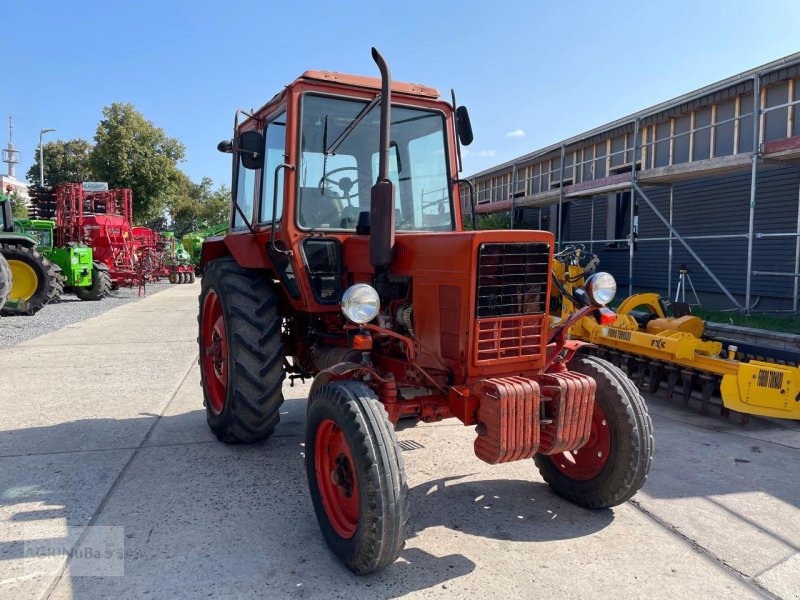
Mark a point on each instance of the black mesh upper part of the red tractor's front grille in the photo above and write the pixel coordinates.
(512, 279)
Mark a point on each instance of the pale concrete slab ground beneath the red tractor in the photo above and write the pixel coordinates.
(718, 517)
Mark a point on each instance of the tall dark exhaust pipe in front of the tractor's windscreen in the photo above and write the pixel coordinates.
(381, 243)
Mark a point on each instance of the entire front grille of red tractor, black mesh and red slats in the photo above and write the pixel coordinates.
(511, 301)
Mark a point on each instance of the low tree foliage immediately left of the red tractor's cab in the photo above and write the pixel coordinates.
(197, 205)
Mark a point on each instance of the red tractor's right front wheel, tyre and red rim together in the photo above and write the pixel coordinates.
(611, 467)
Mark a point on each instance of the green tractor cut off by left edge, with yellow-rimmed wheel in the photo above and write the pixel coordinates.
(35, 280)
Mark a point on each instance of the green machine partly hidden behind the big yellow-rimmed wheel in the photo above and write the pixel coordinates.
(74, 260)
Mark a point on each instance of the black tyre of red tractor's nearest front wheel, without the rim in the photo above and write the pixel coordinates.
(377, 464)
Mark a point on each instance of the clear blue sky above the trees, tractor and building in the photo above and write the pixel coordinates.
(531, 73)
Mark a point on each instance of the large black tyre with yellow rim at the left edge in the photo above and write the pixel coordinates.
(35, 281)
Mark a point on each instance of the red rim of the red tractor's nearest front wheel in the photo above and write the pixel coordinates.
(336, 478)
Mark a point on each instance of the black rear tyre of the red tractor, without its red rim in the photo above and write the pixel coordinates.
(255, 372)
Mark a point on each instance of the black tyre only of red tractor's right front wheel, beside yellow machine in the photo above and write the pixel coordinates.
(631, 435)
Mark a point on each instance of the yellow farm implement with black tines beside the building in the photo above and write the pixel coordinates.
(657, 347)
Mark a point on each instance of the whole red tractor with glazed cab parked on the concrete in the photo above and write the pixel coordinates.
(346, 262)
